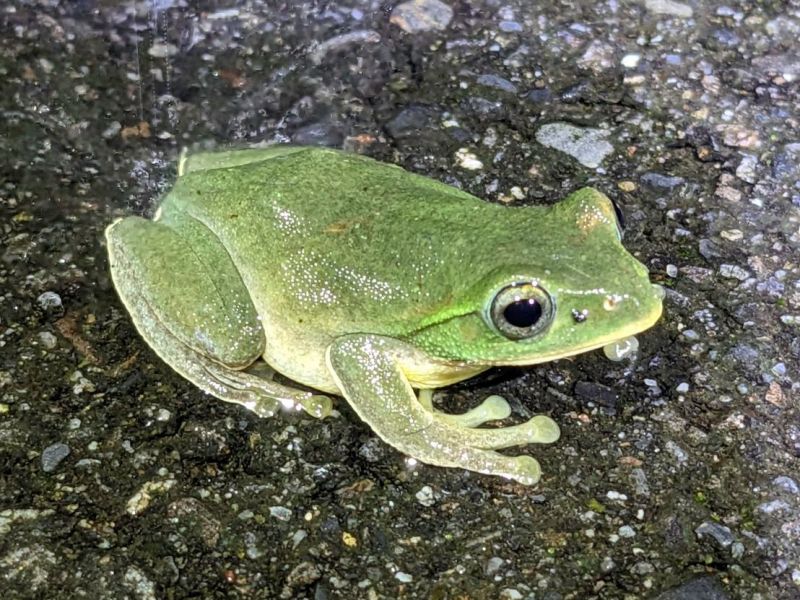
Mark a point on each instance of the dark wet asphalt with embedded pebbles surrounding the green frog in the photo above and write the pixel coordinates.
(676, 476)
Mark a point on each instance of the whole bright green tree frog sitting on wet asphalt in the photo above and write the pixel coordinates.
(358, 278)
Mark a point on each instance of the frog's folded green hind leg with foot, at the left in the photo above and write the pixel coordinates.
(190, 305)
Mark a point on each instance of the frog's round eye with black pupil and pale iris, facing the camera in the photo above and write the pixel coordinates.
(521, 310)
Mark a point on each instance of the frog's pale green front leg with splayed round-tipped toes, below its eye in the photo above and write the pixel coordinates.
(369, 372)
